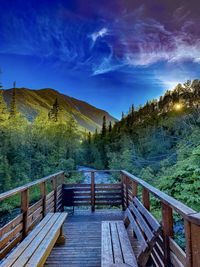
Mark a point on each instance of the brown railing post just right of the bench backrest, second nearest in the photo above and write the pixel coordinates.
(167, 227)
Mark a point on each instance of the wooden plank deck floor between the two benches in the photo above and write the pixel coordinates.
(83, 242)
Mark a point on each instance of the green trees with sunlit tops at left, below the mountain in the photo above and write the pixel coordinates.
(31, 150)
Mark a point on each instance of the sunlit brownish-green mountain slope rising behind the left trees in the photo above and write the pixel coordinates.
(32, 102)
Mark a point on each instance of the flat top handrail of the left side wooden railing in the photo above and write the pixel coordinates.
(27, 186)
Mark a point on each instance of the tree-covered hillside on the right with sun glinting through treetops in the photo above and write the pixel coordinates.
(159, 142)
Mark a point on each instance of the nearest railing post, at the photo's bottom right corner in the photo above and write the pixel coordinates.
(192, 236)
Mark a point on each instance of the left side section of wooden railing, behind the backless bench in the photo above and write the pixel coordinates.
(17, 229)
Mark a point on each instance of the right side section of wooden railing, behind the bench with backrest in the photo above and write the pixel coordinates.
(167, 252)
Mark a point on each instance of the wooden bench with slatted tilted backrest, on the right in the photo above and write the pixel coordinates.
(129, 242)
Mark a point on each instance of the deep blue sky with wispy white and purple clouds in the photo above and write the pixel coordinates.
(110, 53)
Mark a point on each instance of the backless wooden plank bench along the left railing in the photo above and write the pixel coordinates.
(36, 247)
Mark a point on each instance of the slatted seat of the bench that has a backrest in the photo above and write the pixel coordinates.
(116, 247)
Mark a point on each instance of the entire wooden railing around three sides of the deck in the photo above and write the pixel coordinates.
(166, 251)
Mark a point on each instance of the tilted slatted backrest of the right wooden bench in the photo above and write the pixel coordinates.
(145, 228)
